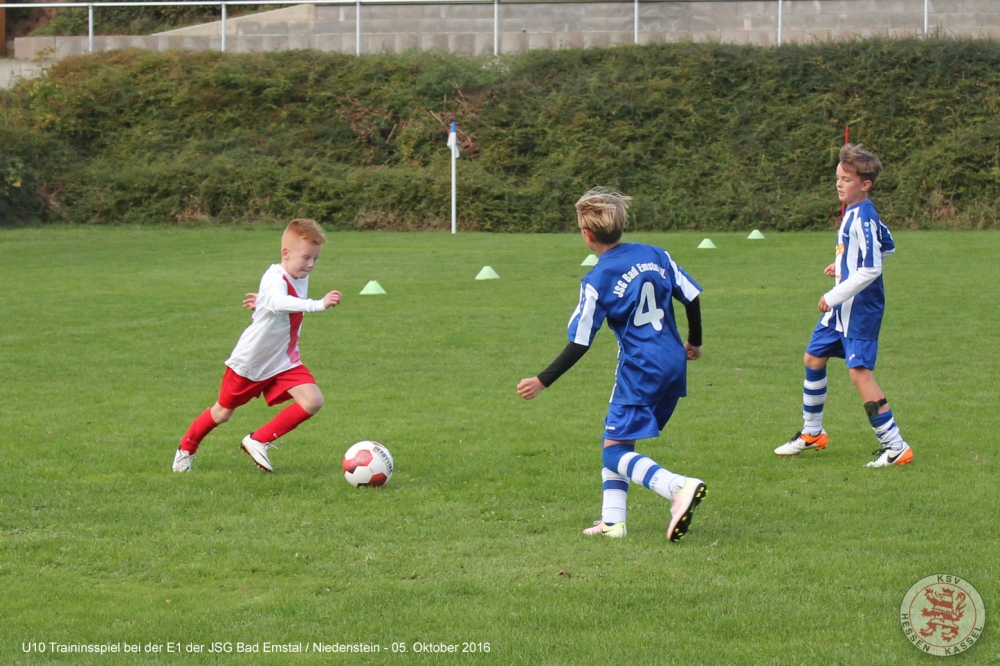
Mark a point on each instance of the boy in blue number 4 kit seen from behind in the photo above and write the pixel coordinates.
(632, 286)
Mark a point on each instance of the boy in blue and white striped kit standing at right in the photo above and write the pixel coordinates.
(852, 316)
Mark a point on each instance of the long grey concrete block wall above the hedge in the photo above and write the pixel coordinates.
(468, 28)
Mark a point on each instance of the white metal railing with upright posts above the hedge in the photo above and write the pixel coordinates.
(357, 4)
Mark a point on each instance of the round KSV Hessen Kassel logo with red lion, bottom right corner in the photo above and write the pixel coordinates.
(942, 615)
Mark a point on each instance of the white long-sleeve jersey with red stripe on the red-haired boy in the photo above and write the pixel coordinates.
(270, 344)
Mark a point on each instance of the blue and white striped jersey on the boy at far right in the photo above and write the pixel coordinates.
(862, 242)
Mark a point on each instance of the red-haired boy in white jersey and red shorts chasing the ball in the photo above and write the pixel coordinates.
(266, 359)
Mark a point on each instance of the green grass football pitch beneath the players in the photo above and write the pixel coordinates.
(112, 341)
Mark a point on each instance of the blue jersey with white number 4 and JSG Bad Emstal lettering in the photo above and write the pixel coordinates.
(632, 286)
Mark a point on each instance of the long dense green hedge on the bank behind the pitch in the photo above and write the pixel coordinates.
(718, 137)
